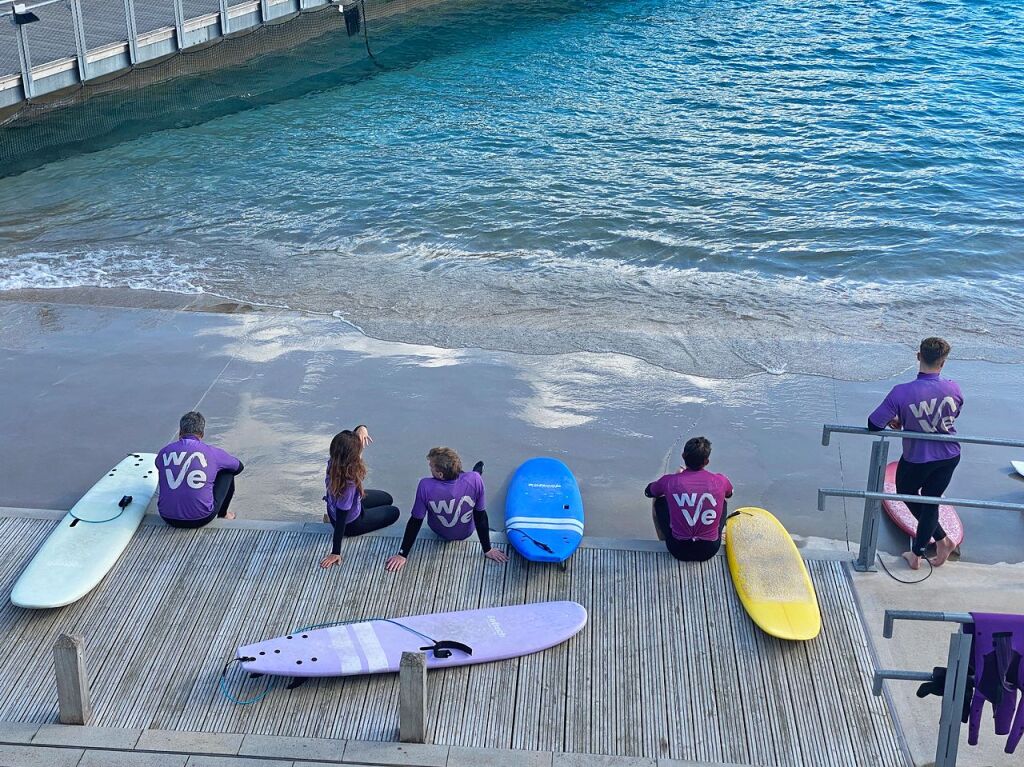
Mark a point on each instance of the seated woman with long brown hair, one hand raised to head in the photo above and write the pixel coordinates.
(352, 509)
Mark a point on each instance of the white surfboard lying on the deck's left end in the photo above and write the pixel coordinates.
(91, 538)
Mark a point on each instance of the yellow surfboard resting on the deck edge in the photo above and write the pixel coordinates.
(771, 576)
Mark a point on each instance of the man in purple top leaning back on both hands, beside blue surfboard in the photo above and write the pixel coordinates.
(454, 504)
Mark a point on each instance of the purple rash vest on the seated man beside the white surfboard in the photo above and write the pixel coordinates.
(187, 471)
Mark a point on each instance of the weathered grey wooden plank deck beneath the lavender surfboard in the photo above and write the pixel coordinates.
(669, 665)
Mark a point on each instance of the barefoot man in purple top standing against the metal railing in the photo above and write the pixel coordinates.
(929, 405)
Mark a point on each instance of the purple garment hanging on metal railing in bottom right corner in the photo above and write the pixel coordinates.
(999, 647)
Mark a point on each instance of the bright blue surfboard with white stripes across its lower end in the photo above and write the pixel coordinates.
(544, 512)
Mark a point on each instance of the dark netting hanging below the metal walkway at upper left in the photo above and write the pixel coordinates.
(295, 55)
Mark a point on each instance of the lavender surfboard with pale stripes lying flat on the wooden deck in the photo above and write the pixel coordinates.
(376, 647)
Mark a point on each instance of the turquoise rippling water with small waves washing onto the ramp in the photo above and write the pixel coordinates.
(719, 188)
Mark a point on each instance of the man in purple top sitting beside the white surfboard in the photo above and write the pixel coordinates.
(197, 481)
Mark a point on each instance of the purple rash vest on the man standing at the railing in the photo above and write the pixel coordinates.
(930, 405)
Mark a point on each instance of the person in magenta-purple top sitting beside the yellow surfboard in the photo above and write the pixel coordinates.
(690, 507)
